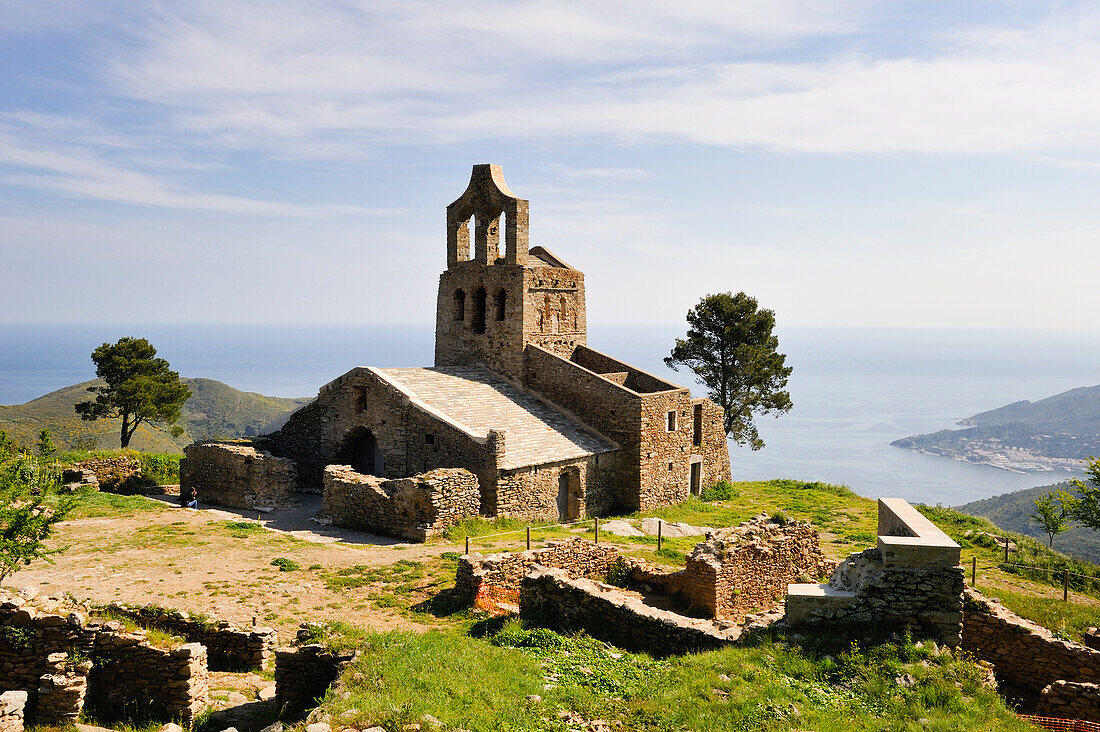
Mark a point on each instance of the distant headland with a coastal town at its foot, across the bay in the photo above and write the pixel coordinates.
(1051, 434)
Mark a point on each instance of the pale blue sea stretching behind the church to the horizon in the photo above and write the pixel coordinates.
(854, 390)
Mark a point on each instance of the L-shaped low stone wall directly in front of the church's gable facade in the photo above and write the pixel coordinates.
(416, 508)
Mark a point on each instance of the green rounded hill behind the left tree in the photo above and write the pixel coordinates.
(215, 410)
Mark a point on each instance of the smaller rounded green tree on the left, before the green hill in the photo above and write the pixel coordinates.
(138, 388)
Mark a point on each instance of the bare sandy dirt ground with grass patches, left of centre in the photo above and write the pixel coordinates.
(219, 563)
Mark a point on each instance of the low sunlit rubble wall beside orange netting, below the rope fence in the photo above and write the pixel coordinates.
(504, 572)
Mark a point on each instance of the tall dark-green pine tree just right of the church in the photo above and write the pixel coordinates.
(733, 351)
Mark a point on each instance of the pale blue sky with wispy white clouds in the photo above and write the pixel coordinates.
(852, 165)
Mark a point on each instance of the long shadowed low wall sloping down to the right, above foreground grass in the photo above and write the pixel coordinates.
(551, 598)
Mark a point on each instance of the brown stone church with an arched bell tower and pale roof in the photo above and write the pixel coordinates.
(551, 428)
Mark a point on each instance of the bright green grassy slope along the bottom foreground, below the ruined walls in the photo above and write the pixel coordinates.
(480, 685)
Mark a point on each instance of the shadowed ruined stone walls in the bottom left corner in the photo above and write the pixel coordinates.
(43, 651)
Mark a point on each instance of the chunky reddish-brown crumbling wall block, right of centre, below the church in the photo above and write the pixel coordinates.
(738, 571)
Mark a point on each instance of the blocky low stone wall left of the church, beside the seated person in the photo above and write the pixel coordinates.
(237, 476)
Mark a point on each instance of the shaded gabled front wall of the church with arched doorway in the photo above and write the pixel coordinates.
(317, 435)
